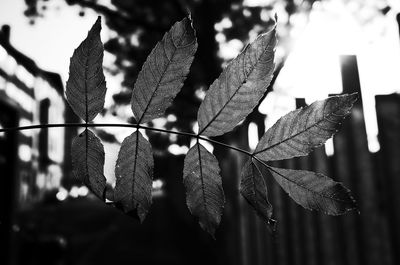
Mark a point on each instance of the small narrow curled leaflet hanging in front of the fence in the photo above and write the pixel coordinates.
(254, 190)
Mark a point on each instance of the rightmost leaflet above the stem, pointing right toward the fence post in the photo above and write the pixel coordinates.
(300, 131)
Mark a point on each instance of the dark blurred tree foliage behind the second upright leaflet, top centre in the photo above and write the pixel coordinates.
(140, 24)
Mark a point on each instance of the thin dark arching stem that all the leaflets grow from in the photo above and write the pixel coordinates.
(127, 125)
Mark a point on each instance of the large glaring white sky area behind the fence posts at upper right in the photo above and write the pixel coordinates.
(334, 28)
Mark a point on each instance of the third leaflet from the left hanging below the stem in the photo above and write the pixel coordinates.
(204, 193)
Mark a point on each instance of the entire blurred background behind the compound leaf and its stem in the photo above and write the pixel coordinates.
(325, 47)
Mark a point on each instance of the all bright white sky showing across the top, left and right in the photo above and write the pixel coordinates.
(51, 41)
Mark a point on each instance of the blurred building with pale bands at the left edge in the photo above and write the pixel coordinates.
(31, 161)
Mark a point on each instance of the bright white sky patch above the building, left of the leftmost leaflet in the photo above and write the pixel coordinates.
(51, 41)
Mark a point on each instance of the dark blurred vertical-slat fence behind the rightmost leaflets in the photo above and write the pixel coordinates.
(370, 236)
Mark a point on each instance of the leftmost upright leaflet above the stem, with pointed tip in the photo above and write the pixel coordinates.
(86, 85)
